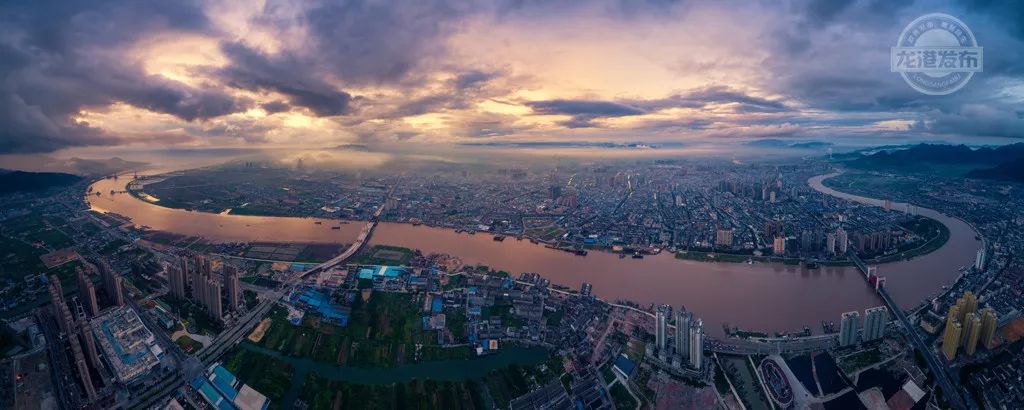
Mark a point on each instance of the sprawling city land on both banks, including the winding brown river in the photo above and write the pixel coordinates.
(360, 296)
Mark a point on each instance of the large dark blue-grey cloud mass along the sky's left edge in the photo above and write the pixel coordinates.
(60, 58)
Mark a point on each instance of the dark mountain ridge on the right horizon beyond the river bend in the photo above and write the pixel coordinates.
(1005, 162)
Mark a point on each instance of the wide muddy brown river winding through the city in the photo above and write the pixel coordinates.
(759, 297)
